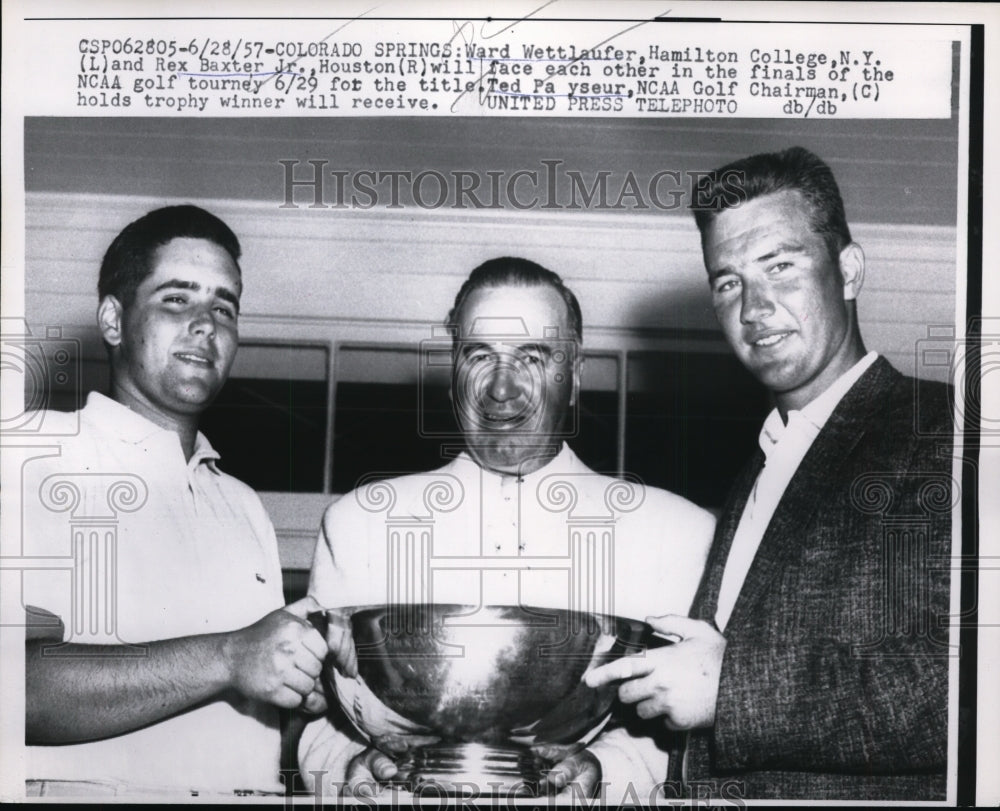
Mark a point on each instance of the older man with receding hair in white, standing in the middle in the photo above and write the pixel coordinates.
(514, 519)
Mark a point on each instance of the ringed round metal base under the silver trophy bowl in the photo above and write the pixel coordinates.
(474, 770)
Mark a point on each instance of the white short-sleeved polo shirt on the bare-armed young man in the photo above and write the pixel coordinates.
(147, 546)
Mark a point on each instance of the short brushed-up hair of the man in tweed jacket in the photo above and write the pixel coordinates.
(794, 169)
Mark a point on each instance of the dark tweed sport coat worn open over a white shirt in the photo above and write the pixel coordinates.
(835, 676)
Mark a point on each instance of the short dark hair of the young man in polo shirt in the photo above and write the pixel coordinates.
(129, 259)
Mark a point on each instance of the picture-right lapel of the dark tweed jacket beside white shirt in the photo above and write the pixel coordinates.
(821, 466)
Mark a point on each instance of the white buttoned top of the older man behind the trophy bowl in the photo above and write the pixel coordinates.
(466, 535)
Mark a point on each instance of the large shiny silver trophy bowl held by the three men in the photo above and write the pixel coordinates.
(479, 700)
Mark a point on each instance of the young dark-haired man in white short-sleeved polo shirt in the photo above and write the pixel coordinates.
(157, 647)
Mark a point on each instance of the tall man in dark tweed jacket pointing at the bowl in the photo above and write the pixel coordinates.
(815, 663)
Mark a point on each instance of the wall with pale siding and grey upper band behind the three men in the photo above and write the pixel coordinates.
(327, 278)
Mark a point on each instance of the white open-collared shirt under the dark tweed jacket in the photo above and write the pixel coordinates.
(784, 446)
